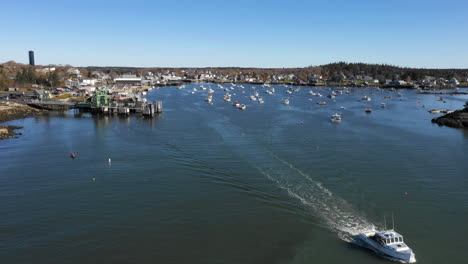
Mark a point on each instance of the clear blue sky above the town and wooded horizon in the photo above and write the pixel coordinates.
(414, 33)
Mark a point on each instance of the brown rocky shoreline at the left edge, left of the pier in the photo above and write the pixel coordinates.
(12, 111)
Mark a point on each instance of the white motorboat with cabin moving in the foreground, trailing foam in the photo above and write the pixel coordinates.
(388, 243)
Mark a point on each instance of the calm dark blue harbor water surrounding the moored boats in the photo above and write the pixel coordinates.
(212, 184)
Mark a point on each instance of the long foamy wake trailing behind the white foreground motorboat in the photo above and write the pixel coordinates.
(338, 214)
